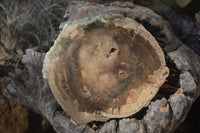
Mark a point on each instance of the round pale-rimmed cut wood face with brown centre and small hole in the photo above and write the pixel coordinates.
(104, 67)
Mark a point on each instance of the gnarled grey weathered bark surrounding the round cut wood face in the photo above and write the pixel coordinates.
(26, 86)
